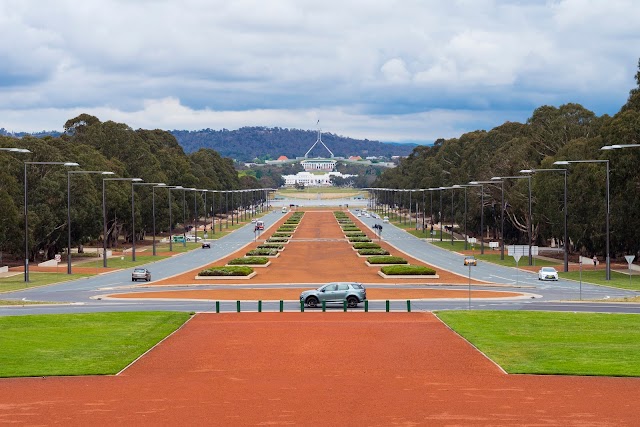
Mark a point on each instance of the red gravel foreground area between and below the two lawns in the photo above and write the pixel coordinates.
(318, 369)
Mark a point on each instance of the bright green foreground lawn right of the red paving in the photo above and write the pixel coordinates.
(525, 342)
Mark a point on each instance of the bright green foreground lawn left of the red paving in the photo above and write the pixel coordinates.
(80, 344)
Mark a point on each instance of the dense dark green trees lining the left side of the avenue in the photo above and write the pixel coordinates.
(152, 155)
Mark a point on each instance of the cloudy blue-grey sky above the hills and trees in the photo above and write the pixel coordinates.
(386, 70)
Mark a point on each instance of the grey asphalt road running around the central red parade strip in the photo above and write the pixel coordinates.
(78, 296)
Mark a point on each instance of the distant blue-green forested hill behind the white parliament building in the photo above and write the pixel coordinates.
(248, 143)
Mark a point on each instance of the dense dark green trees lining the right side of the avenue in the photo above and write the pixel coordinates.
(569, 132)
